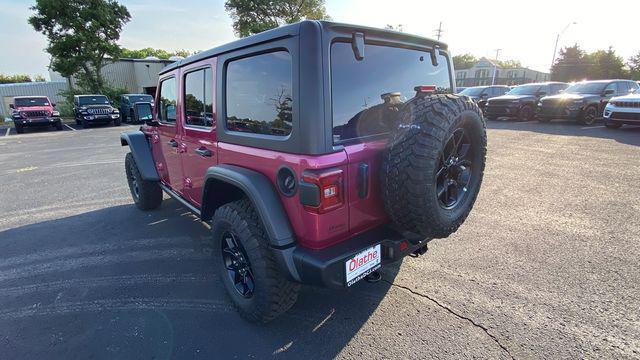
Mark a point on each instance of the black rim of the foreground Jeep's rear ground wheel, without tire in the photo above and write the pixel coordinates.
(237, 264)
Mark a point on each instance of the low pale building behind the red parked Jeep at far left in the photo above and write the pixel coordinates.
(50, 89)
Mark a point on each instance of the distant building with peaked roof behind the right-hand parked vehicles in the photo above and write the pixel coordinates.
(481, 73)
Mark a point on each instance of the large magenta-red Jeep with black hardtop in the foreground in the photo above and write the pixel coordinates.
(318, 151)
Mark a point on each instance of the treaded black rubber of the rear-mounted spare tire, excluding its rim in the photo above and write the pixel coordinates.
(412, 159)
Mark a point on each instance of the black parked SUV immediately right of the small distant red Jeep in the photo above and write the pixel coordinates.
(94, 109)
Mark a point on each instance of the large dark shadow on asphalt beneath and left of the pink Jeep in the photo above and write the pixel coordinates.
(121, 283)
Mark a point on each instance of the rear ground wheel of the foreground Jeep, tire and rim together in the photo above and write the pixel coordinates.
(247, 266)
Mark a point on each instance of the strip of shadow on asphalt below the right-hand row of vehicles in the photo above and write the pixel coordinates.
(626, 134)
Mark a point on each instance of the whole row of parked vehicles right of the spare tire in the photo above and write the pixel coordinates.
(584, 101)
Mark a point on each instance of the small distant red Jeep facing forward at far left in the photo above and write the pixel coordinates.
(34, 111)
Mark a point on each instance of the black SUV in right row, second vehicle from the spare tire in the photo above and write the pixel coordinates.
(521, 101)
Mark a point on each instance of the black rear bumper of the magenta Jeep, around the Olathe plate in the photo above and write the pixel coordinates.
(326, 267)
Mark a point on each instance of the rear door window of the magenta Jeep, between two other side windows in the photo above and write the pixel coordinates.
(198, 103)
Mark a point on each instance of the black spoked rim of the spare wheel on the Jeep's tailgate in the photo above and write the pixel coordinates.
(455, 170)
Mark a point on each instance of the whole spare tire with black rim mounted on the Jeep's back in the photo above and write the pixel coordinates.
(433, 167)
